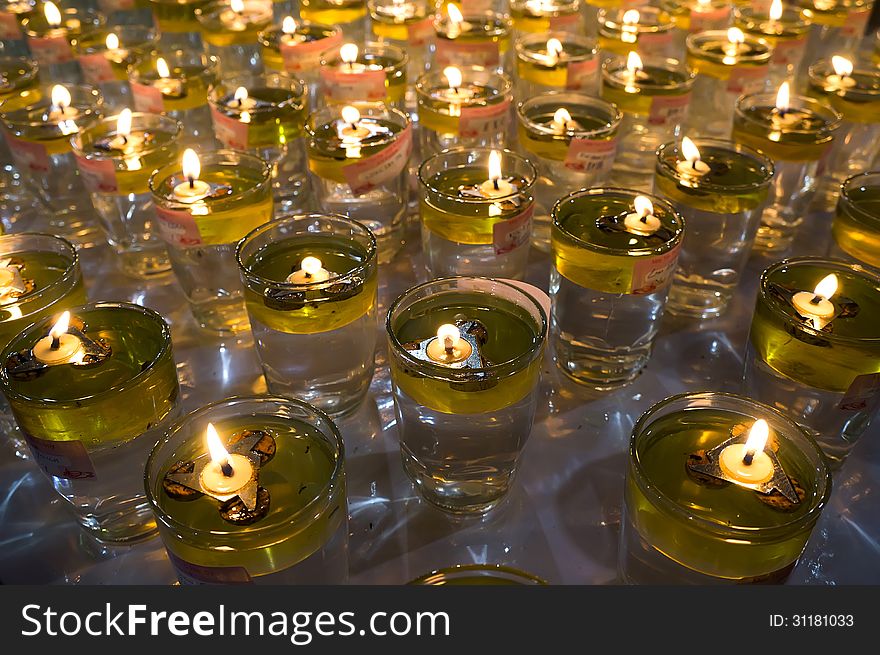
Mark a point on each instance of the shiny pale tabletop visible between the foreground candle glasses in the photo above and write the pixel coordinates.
(561, 519)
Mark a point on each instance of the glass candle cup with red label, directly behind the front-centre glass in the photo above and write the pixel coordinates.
(468, 226)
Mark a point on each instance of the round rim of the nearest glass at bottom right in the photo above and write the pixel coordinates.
(670, 507)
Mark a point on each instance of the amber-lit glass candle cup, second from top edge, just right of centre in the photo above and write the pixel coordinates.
(576, 68)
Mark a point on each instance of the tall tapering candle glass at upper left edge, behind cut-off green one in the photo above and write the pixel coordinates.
(38, 134)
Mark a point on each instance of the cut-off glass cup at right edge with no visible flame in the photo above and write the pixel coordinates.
(856, 224)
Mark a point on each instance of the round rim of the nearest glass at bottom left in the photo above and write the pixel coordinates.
(325, 492)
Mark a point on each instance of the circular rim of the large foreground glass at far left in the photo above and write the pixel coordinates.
(152, 315)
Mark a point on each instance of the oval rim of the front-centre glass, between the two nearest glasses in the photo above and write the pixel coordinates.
(446, 373)
